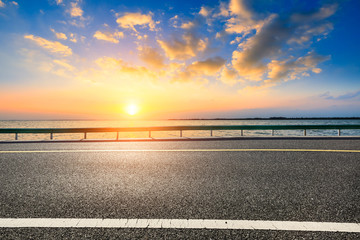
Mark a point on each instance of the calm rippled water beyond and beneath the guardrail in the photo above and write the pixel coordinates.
(136, 123)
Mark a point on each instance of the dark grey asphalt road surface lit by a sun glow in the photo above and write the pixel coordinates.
(266, 185)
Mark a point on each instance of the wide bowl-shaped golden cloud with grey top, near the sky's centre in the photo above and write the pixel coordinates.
(185, 48)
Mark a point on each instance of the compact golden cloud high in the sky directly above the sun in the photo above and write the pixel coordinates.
(130, 20)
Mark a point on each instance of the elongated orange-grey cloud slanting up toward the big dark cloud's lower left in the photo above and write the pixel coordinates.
(197, 71)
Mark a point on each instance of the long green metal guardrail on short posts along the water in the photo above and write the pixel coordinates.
(52, 131)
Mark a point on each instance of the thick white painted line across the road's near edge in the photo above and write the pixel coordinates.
(177, 223)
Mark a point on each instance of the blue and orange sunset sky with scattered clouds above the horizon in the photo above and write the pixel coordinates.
(86, 59)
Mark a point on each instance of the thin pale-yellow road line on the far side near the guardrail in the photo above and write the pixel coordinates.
(181, 150)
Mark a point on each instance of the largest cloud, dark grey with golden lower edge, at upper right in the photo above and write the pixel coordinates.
(257, 56)
